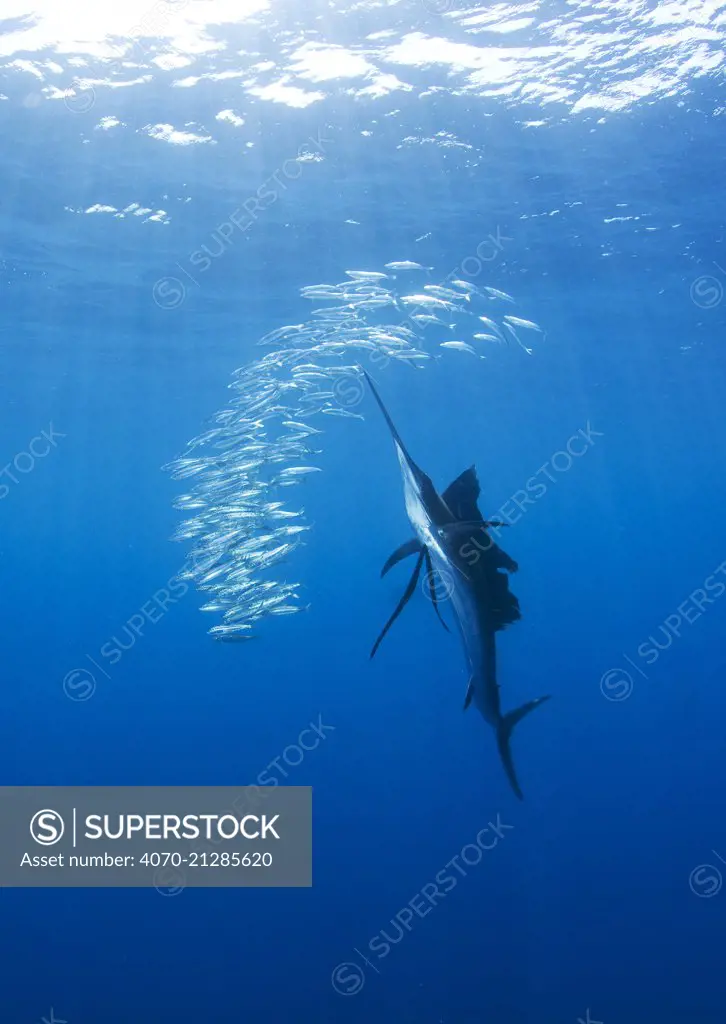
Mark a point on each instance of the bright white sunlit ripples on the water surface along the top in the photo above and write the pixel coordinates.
(603, 56)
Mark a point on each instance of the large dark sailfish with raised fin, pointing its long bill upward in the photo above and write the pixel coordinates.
(452, 540)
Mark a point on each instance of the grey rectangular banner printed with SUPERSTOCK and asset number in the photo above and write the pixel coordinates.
(169, 837)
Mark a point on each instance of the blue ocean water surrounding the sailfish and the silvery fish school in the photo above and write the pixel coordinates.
(568, 154)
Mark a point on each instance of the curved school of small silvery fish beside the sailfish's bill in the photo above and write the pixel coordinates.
(264, 441)
